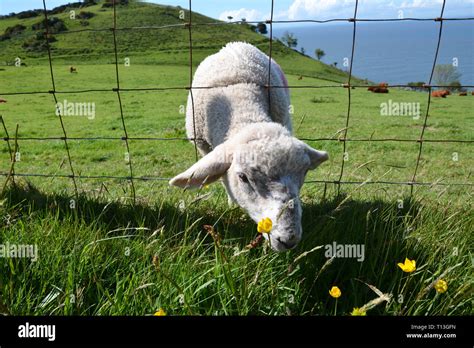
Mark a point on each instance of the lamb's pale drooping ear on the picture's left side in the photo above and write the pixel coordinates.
(208, 169)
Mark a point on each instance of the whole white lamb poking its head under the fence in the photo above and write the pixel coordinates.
(247, 142)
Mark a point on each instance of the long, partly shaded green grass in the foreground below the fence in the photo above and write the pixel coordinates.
(115, 259)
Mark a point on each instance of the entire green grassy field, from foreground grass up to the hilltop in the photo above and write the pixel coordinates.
(105, 255)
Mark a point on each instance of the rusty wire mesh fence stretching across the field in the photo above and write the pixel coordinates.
(343, 138)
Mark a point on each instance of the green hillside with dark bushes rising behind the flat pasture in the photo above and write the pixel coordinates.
(77, 41)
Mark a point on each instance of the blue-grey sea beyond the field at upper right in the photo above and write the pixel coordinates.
(392, 52)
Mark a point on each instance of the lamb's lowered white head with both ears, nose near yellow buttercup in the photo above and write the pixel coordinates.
(263, 171)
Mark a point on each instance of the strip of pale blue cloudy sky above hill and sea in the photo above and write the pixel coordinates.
(257, 10)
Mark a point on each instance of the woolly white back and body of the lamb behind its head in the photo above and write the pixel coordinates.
(241, 66)
